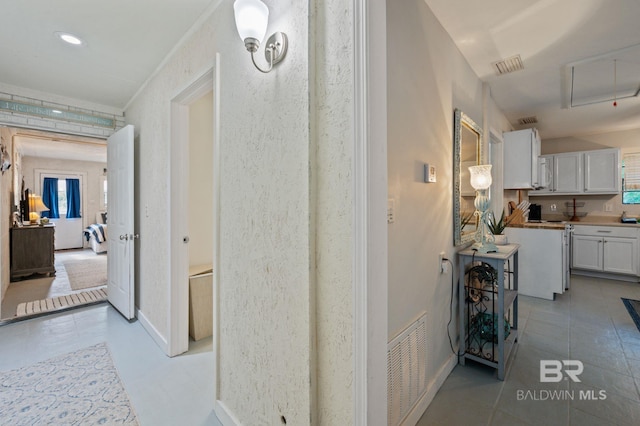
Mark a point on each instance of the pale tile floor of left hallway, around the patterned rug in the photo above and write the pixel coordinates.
(163, 390)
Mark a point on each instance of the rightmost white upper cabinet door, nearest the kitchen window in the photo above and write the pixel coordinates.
(602, 171)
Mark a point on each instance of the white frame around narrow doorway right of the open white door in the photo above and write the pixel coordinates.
(178, 294)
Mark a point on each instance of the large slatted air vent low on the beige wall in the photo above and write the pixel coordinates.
(406, 370)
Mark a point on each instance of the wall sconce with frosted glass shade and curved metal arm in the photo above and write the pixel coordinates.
(252, 17)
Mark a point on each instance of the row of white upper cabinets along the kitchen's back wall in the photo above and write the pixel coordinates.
(583, 172)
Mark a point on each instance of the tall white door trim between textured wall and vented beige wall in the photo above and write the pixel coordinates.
(370, 247)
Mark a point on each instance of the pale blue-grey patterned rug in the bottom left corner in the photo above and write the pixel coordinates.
(78, 388)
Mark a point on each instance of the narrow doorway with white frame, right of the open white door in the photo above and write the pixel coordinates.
(193, 215)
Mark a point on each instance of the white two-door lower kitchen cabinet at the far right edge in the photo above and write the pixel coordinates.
(605, 249)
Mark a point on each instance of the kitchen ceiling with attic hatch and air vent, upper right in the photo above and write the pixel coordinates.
(550, 35)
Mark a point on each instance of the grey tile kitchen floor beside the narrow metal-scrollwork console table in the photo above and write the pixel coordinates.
(588, 323)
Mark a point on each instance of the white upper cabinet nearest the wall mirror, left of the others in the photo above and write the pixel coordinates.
(521, 152)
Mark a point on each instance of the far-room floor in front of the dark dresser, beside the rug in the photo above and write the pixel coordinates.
(43, 287)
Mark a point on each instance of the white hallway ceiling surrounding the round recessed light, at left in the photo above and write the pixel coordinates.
(126, 40)
